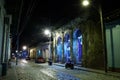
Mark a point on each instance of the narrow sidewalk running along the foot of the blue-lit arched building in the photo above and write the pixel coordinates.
(92, 70)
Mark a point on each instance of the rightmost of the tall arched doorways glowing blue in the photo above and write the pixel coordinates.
(77, 46)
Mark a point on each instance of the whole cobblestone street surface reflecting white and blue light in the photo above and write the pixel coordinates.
(28, 70)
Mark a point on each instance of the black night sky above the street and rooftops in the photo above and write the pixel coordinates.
(38, 15)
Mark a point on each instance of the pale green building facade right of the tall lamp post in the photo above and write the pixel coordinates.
(113, 44)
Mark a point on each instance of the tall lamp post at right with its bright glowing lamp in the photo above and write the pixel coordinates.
(86, 3)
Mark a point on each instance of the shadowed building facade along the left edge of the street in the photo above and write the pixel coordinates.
(5, 41)
